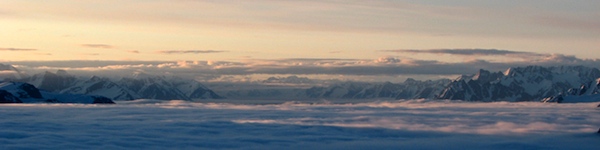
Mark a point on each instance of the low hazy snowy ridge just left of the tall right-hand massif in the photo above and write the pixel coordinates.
(410, 89)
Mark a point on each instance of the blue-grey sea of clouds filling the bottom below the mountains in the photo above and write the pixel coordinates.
(405, 124)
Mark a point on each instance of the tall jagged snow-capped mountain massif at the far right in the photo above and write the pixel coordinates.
(530, 83)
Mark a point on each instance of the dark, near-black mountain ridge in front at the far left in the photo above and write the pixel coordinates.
(18, 92)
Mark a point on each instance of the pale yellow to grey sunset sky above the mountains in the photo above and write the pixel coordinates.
(281, 36)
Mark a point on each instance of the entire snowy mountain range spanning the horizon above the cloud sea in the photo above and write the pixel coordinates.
(531, 83)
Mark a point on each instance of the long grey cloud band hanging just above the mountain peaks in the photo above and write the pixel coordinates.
(384, 66)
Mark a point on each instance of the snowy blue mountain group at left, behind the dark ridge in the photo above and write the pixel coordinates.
(137, 86)
